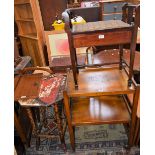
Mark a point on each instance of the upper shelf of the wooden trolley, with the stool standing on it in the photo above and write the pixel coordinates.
(96, 82)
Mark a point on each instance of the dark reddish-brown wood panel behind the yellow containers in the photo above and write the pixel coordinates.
(49, 9)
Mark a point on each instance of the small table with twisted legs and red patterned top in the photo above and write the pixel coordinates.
(44, 100)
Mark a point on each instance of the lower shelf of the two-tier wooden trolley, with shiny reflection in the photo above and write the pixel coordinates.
(105, 109)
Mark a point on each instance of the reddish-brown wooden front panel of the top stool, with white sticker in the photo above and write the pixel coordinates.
(102, 38)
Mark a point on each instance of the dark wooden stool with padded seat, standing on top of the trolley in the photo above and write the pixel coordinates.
(100, 33)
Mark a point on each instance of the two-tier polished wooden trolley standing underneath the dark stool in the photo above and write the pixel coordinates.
(100, 98)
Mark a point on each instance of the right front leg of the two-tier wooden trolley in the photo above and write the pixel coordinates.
(133, 115)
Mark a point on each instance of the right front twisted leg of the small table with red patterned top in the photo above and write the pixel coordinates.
(60, 126)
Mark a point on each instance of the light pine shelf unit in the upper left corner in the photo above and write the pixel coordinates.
(30, 30)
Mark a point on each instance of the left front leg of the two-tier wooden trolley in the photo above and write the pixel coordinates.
(68, 116)
